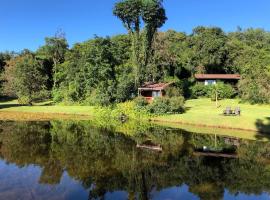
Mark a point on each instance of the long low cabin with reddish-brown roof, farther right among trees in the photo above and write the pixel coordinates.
(212, 79)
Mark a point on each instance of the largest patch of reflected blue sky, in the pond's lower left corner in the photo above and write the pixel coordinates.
(22, 183)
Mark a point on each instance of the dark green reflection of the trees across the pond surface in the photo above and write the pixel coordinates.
(108, 161)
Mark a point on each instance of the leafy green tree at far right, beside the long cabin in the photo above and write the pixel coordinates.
(248, 54)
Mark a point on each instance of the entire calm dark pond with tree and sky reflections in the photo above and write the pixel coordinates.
(85, 160)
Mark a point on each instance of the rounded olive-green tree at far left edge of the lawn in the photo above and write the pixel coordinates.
(25, 78)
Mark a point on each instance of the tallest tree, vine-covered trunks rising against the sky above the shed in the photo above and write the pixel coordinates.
(132, 13)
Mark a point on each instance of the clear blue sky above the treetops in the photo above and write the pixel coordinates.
(25, 23)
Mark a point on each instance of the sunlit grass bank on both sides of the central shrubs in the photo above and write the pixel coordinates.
(199, 112)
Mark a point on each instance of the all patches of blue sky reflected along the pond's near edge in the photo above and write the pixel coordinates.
(23, 183)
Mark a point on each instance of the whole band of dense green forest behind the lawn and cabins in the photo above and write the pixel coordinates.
(103, 71)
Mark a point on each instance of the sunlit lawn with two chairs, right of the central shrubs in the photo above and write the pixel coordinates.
(204, 112)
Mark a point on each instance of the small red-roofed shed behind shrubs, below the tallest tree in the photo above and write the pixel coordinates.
(152, 90)
